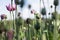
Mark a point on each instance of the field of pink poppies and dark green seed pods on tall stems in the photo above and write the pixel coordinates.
(38, 28)
